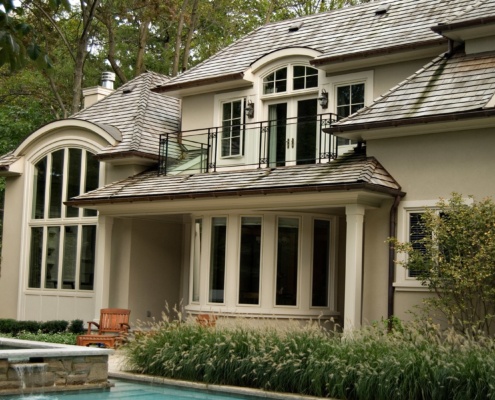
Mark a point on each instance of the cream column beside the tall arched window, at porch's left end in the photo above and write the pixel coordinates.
(103, 262)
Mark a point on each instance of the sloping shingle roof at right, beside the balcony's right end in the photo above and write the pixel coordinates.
(447, 86)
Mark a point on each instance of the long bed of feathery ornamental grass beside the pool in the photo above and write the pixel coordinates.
(415, 362)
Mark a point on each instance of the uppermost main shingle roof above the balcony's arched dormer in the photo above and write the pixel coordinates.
(348, 32)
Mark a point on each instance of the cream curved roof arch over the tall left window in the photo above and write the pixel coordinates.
(102, 135)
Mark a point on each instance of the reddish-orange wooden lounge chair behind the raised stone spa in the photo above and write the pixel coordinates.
(112, 329)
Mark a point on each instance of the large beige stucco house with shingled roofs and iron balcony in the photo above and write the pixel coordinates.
(300, 149)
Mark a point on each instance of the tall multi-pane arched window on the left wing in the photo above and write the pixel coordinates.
(62, 238)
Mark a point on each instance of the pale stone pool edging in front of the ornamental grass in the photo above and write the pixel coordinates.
(224, 389)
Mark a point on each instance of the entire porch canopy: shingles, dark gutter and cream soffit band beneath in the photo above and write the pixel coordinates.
(354, 178)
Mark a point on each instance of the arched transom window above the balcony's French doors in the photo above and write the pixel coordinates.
(300, 76)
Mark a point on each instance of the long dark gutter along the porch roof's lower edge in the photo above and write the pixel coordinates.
(239, 193)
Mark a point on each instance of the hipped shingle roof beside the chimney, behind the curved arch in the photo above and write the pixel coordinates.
(138, 113)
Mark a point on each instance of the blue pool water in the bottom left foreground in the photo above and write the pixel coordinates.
(133, 390)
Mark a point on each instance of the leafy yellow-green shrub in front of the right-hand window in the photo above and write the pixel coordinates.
(455, 259)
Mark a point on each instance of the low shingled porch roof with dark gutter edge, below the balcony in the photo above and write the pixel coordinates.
(351, 171)
